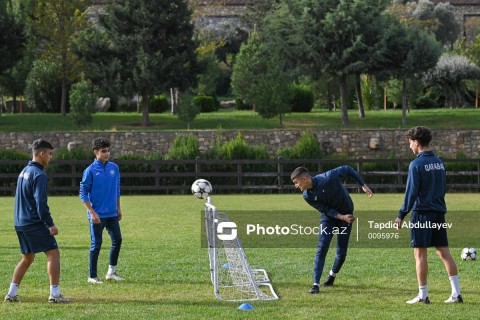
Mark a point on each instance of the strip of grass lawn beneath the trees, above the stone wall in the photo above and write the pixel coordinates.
(246, 120)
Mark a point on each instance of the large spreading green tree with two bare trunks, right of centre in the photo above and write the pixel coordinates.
(335, 39)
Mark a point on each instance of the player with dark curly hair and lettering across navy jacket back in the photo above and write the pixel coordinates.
(425, 197)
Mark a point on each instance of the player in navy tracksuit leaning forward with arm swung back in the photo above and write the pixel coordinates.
(326, 193)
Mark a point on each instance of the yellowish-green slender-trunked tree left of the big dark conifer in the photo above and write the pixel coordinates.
(55, 23)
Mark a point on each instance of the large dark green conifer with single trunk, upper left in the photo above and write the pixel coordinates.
(150, 47)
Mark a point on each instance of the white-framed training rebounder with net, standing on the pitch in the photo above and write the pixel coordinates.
(232, 277)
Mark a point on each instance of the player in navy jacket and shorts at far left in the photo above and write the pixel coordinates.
(34, 224)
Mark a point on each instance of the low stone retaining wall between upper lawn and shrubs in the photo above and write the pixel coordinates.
(347, 143)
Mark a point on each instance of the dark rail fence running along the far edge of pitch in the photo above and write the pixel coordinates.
(237, 176)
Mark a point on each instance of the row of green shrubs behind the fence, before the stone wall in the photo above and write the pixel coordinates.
(186, 147)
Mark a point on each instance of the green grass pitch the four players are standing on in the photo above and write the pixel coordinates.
(168, 277)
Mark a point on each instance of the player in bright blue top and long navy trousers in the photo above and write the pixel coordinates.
(100, 193)
